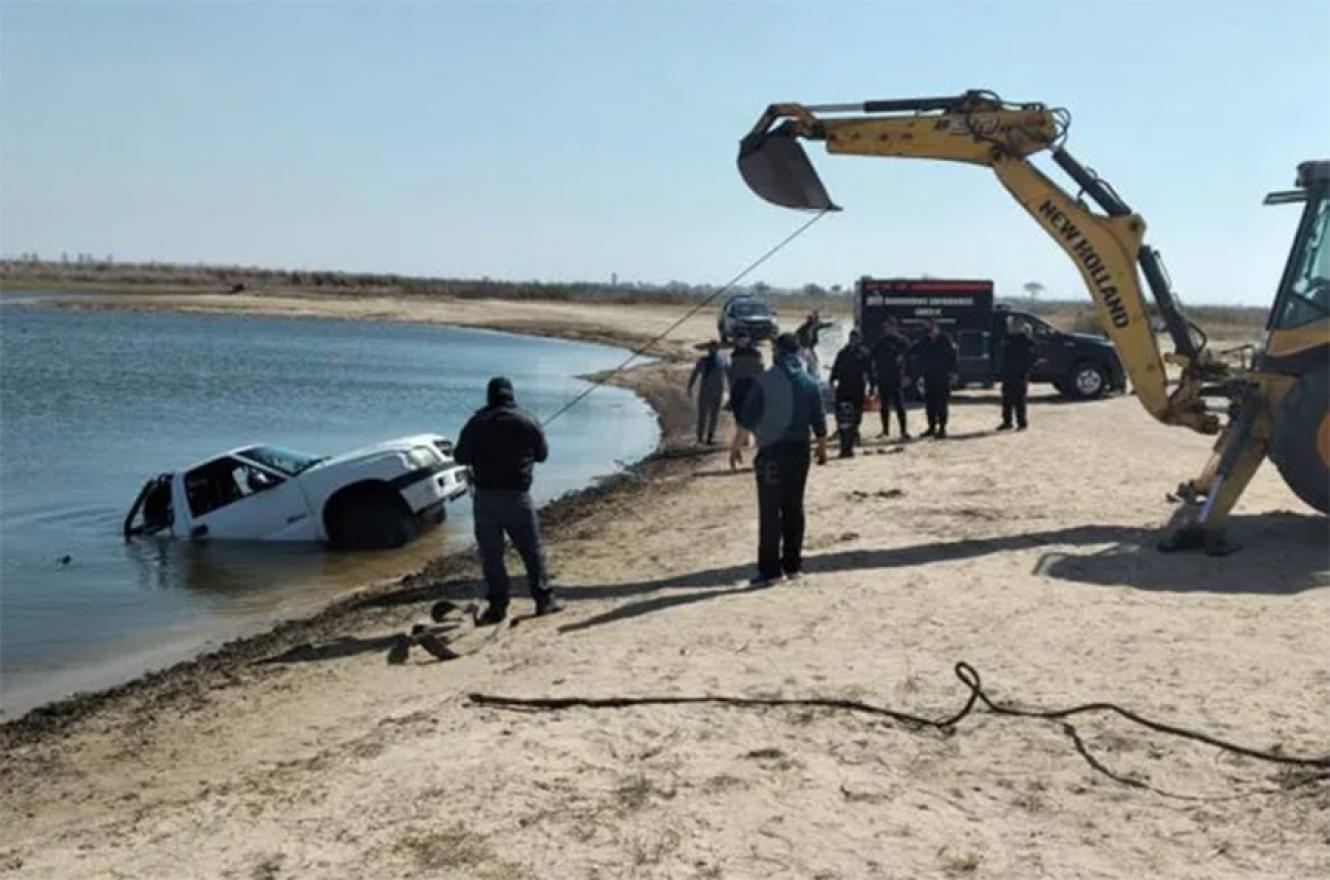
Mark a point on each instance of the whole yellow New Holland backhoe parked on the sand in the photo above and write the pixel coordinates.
(1277, 406)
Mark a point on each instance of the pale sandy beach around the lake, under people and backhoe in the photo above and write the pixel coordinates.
(304, 753)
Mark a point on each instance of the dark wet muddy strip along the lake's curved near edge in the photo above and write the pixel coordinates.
(659, 384)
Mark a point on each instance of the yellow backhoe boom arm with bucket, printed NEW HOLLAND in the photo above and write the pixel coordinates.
(980, 130)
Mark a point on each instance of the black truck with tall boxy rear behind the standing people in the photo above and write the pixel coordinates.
(1079, 366)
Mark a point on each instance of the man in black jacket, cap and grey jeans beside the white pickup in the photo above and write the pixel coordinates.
(502, 445)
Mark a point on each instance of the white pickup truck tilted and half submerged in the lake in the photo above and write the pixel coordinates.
(381, 496)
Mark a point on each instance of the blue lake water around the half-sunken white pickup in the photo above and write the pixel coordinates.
(92, 403)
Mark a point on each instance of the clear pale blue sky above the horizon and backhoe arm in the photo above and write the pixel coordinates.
(570, 142)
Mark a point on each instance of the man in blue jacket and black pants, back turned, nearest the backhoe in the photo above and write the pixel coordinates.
(783, 407)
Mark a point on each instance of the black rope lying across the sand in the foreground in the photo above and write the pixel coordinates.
(978, 697)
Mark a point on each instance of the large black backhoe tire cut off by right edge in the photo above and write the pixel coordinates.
(1301, 445)
